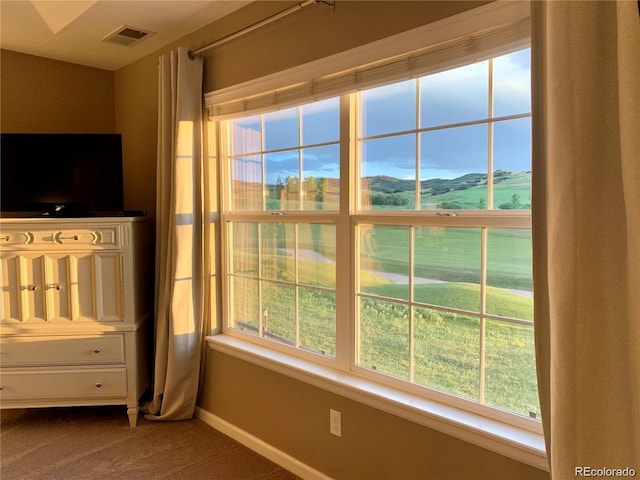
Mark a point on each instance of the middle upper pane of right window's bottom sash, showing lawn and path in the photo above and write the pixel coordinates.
(447, 267)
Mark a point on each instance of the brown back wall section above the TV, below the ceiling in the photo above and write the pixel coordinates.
(46, 96)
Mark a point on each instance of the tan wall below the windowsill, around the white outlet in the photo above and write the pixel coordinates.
(294, 417)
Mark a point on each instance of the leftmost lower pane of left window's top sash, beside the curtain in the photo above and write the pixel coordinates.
(246, 183)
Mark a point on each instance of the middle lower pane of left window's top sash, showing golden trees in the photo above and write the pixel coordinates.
(282, 172)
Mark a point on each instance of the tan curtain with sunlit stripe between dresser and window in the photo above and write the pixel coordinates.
(179, 238)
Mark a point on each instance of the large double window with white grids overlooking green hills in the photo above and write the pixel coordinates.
(387, 232)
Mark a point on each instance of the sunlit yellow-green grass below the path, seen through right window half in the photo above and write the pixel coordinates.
(447, 345)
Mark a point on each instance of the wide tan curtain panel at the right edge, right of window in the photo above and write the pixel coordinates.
(586, 219)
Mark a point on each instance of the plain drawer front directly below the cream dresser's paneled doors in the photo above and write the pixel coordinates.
(62, 350)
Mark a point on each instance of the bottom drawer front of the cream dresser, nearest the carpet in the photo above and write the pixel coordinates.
(54, 385)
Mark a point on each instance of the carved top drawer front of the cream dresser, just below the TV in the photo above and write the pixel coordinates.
(76, 237)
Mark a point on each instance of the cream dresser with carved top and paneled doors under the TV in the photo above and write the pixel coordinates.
(76, 307)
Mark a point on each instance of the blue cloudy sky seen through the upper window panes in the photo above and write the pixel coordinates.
(453, 96)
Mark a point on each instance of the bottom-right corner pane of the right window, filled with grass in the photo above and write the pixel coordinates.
(510, 371)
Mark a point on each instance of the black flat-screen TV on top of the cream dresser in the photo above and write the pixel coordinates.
(61, 174)
